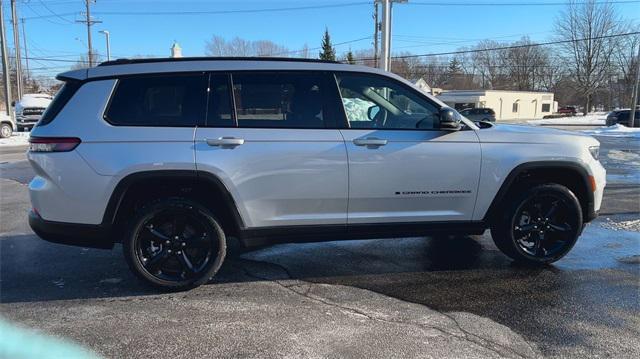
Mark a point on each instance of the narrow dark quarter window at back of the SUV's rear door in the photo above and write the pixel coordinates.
(219, 107)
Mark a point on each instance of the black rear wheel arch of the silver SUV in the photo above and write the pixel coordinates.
(141, 187)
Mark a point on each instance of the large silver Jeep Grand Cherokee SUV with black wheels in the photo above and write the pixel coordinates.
(171, 157)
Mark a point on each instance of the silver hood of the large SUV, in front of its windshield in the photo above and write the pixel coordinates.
(530, 134)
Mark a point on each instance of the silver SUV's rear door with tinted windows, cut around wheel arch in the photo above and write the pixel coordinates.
(273, 142)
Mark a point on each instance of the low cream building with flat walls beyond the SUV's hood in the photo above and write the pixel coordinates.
(508, 105)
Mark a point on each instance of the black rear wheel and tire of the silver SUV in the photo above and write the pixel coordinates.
(174, 244)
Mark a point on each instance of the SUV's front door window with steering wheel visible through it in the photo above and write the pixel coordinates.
(377, 102)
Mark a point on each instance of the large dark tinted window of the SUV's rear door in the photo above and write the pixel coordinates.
(285, 100)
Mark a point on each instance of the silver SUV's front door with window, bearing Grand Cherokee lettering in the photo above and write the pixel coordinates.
(402, 168)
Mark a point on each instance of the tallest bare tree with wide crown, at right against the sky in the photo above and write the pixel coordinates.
(588, 59)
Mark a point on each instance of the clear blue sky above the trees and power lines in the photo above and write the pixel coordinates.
(148, 28)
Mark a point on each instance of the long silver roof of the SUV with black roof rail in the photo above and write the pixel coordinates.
(123, 67)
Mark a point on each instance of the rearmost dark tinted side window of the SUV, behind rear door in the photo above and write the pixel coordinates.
(178, 100)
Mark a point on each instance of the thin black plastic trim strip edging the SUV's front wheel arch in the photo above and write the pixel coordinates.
(588, 215)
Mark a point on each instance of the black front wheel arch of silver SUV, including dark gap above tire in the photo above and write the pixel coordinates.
(569, 174)
